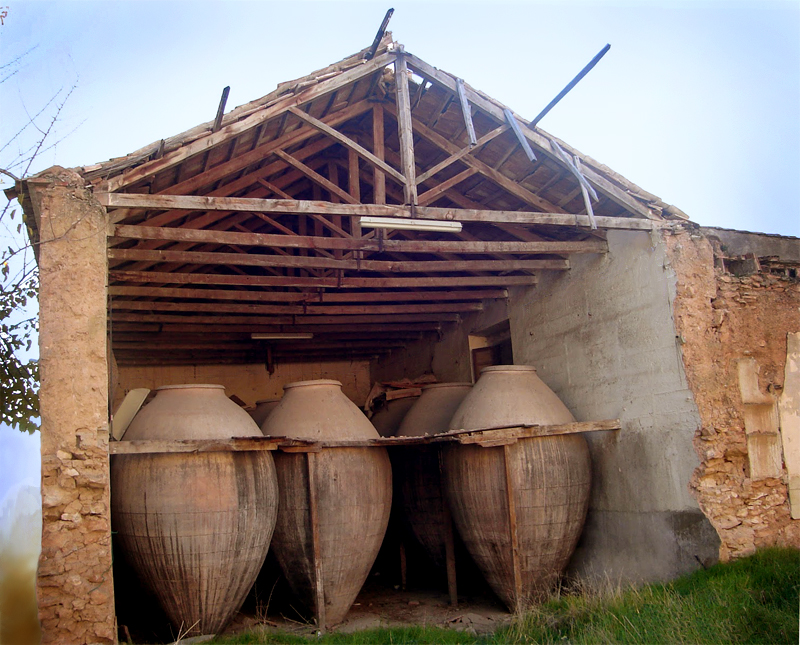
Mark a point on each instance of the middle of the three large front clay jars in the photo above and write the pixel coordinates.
(334, 504)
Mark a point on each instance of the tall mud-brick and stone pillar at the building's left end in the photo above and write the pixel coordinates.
(74, 586)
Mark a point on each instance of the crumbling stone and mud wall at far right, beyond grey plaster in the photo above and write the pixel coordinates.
(731, 327)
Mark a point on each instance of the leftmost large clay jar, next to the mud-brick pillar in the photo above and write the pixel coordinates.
(196, 527)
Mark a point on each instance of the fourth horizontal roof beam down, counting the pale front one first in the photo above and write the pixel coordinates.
(345, 282)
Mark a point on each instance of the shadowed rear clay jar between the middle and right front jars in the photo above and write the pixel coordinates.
(417, 470)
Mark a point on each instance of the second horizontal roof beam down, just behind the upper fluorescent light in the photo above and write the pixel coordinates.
(351, 244)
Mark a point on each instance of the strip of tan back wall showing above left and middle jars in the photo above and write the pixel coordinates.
(251, 382)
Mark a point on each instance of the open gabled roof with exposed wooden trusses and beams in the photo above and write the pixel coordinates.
(258, 223)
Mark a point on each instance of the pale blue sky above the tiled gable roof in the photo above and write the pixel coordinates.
(698, 101)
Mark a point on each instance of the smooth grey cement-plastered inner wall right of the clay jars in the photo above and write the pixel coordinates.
(602, 337)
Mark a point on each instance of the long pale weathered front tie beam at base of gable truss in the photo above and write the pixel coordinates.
(243, 204)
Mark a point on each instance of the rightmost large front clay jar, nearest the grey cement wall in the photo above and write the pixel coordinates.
(518, 507)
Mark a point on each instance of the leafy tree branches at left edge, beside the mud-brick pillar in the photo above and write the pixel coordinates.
(19, 280)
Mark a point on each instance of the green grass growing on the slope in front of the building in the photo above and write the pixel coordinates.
(753, 600)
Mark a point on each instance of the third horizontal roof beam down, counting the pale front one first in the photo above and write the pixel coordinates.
(200, 258)
